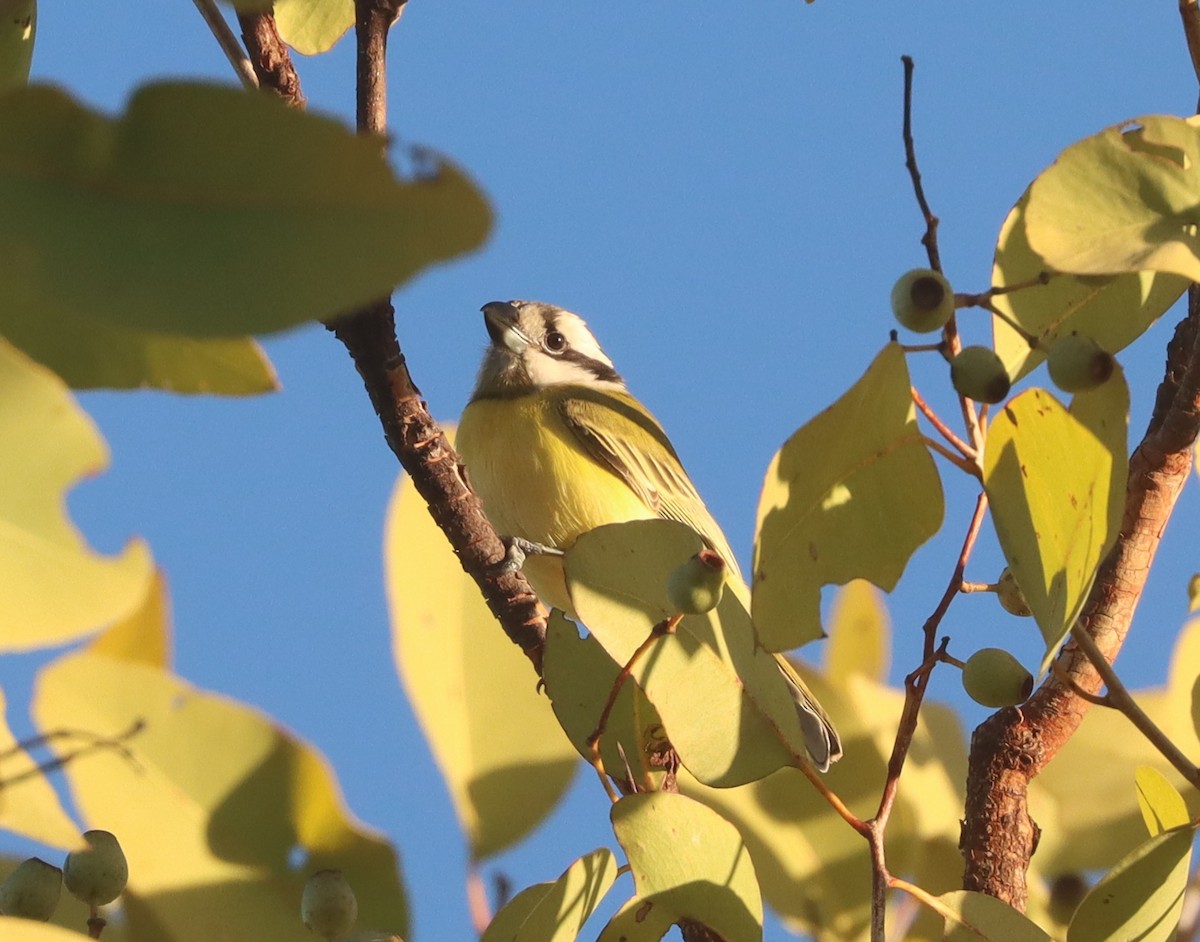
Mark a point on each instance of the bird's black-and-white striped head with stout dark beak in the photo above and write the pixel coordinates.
(537, 345)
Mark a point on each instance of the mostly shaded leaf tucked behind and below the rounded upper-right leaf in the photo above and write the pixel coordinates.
(1113, 311)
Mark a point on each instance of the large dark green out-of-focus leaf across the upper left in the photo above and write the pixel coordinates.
(209, 211)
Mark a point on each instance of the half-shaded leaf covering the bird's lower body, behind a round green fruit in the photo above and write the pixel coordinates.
(722, 698)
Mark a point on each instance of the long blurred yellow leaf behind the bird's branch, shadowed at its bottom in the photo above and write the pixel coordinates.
(495, 737)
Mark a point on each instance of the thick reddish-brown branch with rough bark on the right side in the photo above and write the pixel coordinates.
(1012, 747)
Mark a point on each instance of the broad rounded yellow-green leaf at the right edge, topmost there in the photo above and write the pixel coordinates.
(1125, 200)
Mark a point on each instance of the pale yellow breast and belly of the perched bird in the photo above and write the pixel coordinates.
(538, 483)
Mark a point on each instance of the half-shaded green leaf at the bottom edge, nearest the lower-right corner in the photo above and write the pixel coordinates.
(1142, 898)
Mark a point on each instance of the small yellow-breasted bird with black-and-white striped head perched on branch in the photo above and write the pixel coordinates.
(555, 445)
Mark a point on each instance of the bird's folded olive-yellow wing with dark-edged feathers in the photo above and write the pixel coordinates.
(623, 437)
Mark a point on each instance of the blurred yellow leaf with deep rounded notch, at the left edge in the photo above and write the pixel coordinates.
(56, 587)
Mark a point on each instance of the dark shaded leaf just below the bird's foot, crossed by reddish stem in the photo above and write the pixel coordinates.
(579, 676)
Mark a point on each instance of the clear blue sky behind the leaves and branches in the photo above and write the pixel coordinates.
(721, 191)
